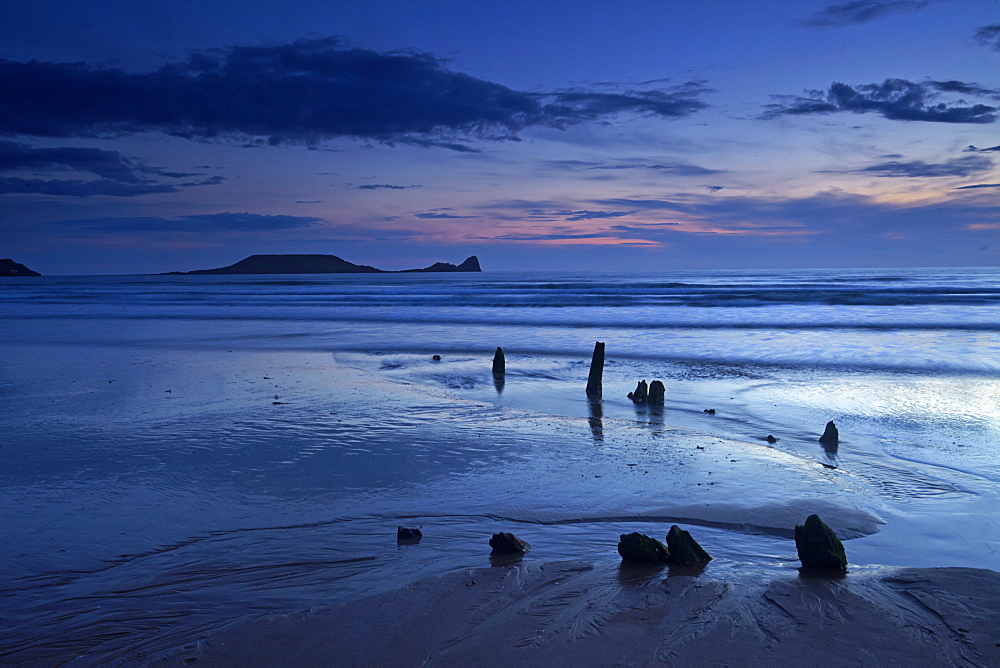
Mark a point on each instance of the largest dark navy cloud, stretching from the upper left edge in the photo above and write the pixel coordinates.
(304, 91)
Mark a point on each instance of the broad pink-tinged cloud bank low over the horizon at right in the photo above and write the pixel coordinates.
(833, 223)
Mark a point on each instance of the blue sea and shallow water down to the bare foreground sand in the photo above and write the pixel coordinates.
(181, 454)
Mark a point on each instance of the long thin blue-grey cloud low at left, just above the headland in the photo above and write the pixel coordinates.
(211, 222)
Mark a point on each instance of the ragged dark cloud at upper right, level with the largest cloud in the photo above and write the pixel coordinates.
(895, 99)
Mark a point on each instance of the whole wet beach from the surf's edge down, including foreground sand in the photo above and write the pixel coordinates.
(247, 503)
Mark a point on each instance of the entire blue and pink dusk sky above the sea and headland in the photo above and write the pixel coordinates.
(147, 137)
